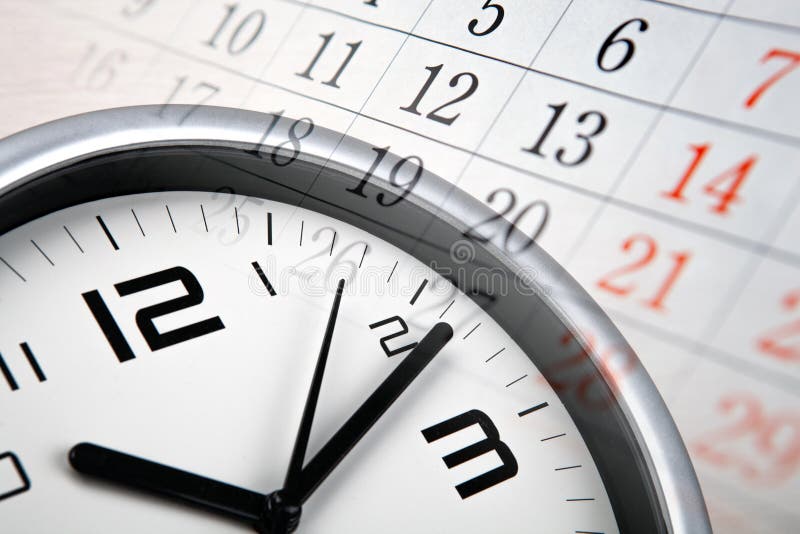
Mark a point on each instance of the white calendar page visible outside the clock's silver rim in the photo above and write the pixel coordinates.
(651, 147)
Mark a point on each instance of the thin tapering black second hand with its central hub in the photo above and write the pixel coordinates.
(284, 513)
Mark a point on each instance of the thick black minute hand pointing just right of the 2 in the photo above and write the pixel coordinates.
(318, 469)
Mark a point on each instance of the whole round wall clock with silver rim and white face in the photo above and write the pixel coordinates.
(215, 320)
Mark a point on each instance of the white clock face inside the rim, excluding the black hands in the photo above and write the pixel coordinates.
(215, 383)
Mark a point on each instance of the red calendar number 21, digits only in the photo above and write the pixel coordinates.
(649, 254)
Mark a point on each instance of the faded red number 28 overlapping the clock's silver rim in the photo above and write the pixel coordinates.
(576, 372)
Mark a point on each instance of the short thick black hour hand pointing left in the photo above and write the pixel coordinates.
(161, 480)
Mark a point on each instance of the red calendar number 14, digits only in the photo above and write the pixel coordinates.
(724, 186)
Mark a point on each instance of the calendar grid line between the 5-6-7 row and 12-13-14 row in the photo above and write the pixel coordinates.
(779, 137)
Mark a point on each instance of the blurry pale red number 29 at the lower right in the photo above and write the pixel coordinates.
(763, 448)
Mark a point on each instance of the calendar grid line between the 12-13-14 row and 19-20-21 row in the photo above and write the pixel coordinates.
(751, 245)
